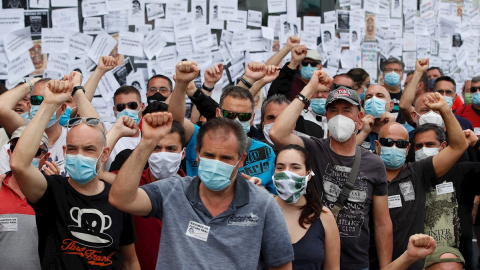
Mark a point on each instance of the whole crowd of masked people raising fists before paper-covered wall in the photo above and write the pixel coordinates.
(340, 173)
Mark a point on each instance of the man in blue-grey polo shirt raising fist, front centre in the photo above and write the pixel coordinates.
(216, 220)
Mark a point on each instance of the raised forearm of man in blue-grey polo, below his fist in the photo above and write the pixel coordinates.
(124, 189)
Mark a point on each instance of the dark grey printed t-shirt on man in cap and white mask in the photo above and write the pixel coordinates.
(331, 172)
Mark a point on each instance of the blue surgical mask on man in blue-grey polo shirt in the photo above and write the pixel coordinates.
(214, 174)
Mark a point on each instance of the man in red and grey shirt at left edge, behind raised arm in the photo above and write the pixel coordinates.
(18, 231)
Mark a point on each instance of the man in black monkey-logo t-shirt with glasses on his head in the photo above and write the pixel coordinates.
(77, 226)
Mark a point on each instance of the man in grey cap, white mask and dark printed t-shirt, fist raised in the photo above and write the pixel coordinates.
(332, 160)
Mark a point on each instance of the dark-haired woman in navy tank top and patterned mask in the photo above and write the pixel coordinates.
(312, 227)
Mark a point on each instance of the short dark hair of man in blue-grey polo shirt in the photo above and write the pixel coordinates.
(228, 127)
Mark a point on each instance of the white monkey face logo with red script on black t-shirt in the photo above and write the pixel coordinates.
(89, 232)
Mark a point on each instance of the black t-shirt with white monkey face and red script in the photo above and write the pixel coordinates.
(78, 231)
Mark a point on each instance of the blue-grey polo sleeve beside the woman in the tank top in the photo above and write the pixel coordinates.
(276, 247)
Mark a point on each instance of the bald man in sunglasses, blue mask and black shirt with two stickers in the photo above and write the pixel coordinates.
(409, 182)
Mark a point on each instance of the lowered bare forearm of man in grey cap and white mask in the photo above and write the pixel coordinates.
(384, 241)
